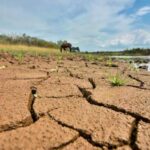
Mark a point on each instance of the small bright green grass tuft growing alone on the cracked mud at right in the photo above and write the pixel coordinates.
(117, 80)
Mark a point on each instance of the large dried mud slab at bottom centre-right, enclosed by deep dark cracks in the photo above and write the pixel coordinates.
(103, 125)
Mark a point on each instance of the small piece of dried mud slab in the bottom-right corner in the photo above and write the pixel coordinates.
(143, 136)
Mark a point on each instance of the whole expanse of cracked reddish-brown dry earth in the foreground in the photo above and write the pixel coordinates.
(70, 105)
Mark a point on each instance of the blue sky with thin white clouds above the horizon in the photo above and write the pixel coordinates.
(93, 25)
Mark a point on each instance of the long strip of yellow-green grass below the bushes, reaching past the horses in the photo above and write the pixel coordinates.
(20, 51)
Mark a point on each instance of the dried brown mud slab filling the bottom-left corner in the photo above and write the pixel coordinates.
(44, 134)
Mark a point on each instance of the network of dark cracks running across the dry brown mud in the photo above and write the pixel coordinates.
(132, 141)
